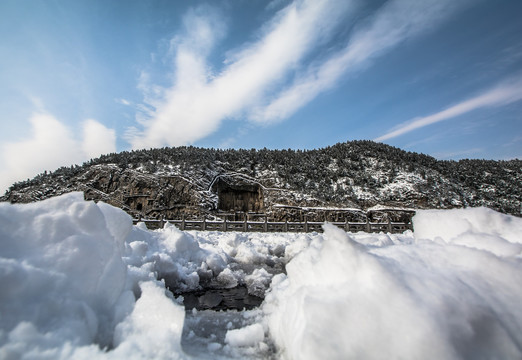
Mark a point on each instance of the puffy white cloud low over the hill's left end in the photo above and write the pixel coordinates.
(51, 145)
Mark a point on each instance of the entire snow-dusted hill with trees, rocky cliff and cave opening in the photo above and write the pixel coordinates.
(338, 183)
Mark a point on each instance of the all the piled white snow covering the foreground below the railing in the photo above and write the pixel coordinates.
(79, 281)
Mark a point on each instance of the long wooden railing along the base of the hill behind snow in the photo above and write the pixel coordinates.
(268, 226)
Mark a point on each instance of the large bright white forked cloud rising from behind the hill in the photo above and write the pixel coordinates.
(199, 100)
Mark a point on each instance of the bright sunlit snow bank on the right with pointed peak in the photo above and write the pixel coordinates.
(424, 299)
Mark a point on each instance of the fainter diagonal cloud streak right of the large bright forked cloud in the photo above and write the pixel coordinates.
(395, 22)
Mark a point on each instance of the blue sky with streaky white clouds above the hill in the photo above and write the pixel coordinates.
(86, 77)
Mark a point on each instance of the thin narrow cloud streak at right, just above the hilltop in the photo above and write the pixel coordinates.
(505, 93)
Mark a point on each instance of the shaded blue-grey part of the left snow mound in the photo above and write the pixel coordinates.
(61, 268)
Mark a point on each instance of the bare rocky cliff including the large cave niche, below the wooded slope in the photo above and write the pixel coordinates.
(173, 197)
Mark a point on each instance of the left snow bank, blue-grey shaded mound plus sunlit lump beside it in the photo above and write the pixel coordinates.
(66, 288)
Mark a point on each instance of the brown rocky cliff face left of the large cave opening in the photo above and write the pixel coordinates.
(139, 194)
